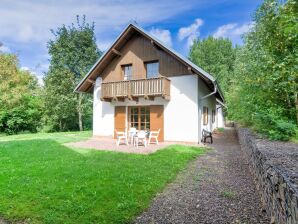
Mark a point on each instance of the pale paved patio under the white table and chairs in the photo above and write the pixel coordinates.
(109, 144)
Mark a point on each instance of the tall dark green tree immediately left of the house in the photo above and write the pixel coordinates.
(73, 51)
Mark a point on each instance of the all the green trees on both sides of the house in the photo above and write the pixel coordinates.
(259, 78)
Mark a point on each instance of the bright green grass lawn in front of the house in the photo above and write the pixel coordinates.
(43, 181)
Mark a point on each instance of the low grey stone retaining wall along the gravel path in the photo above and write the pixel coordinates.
(275, 169)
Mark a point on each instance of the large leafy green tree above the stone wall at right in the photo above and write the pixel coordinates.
(265, 92)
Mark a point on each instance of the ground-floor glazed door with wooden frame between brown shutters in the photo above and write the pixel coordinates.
(139, 118)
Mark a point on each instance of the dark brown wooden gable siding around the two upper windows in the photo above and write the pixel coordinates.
(137, 51)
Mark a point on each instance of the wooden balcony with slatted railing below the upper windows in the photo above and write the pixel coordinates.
(133, 89)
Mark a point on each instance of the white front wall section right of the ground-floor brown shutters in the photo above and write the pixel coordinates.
(181, 113)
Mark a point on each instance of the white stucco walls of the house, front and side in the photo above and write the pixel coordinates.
(182, 114)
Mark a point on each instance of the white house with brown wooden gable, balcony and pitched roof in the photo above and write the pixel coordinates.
(139, 82)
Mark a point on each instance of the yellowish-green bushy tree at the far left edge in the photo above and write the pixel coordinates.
(20, 99)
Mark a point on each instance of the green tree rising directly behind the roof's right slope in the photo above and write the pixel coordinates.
(217, 57)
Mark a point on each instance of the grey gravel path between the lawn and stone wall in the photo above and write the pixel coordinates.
(216, 188)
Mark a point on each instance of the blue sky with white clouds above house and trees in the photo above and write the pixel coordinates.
(25, 25)
